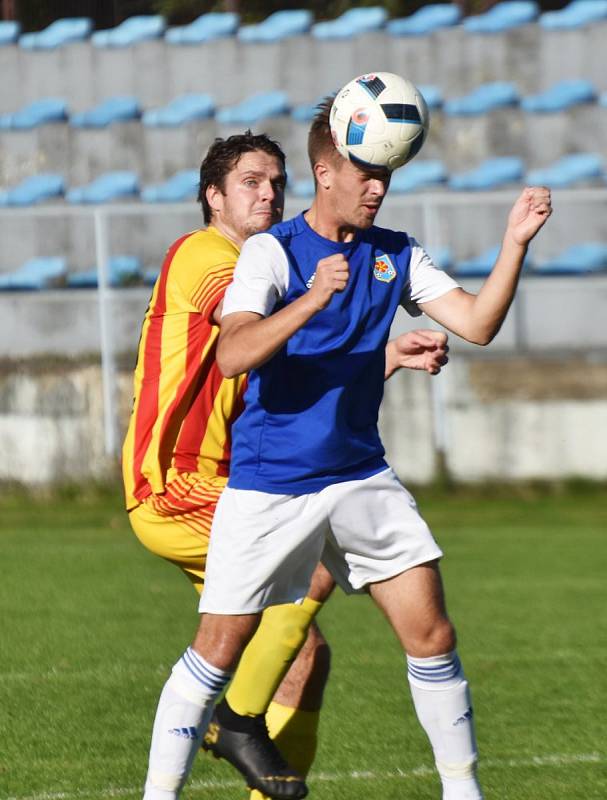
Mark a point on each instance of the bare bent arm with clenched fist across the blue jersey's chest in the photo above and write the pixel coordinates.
(247, 340)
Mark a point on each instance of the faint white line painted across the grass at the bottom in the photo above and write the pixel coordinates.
(552, 760)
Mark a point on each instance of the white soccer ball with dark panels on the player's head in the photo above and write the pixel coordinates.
(379, 120)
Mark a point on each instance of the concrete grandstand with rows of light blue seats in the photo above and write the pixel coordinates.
(102, 133)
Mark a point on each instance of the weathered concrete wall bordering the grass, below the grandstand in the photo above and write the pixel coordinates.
(503, 420)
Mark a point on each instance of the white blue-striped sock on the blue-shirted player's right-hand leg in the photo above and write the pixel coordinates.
(442, 702)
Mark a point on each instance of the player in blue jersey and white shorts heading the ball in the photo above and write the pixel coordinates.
(308, 314)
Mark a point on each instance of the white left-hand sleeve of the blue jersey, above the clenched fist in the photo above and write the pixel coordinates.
(261, 277)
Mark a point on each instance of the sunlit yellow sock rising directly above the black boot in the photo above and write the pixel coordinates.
(268, 656)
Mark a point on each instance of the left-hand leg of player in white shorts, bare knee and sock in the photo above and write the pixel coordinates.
(188, 698)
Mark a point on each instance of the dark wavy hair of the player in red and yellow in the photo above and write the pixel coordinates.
(222, 157)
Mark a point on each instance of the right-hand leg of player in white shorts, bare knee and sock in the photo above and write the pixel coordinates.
(414, 604)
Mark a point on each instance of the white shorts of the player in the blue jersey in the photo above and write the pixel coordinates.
(264, 547)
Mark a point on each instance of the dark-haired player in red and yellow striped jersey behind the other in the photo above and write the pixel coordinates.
(177, 449)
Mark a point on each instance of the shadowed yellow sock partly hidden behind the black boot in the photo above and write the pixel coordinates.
(295, 733)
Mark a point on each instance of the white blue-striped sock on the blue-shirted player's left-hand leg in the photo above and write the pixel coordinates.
(182, 717)
